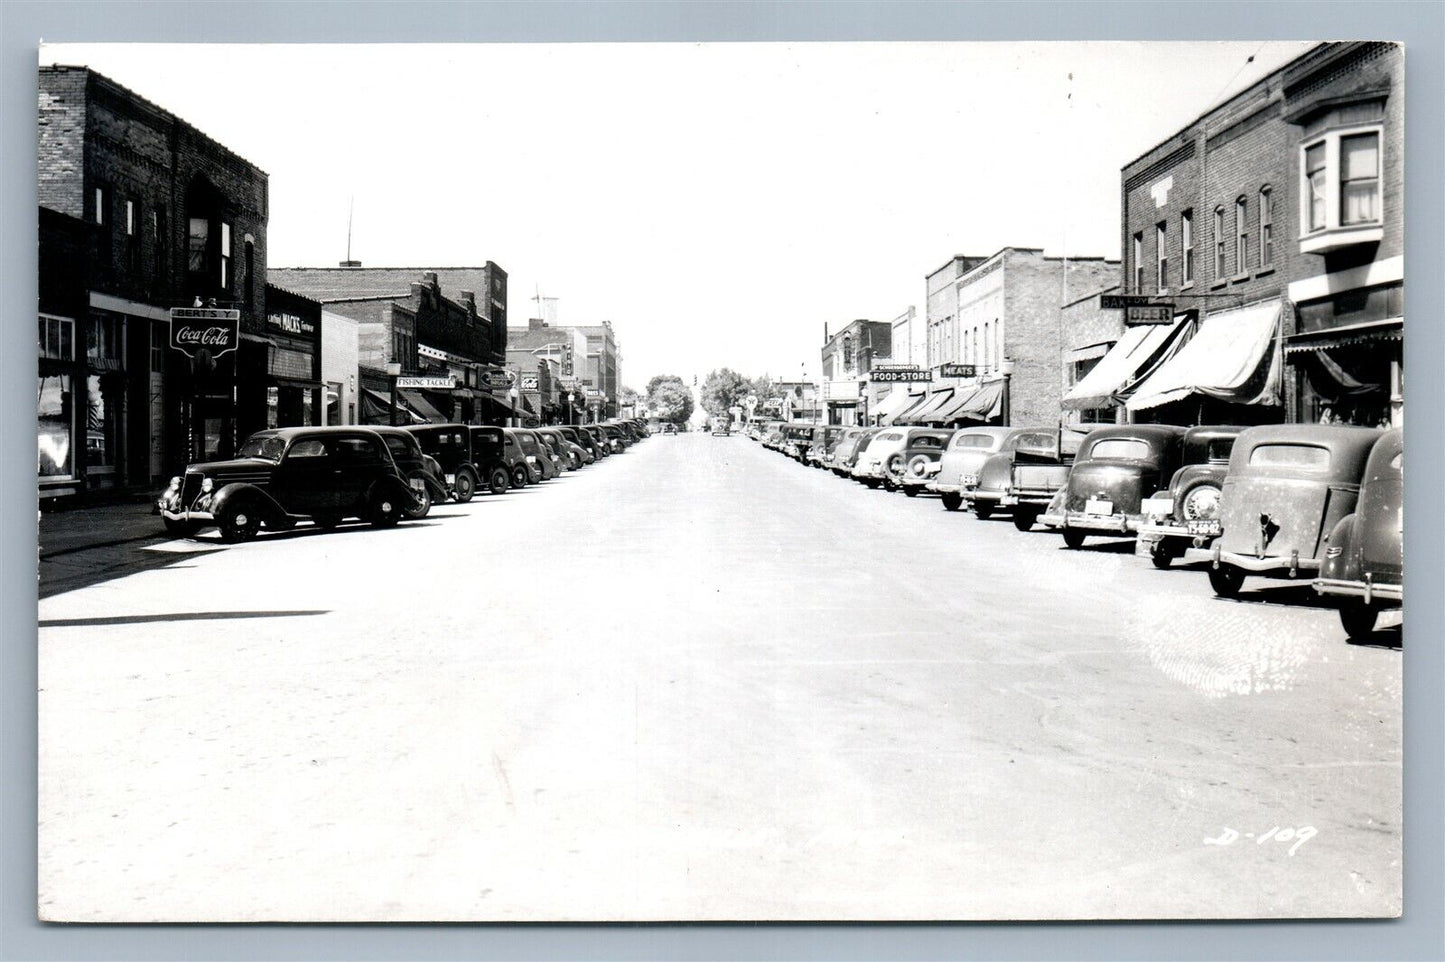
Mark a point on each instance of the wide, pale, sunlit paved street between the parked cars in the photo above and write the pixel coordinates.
(700, 681)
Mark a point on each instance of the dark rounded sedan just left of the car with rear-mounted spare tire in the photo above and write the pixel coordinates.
(1112, 472)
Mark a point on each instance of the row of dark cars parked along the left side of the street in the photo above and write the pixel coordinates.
(379, 474)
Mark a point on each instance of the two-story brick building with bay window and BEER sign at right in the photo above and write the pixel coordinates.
(1274, 226)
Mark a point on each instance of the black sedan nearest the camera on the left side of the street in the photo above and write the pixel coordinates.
(291, 474)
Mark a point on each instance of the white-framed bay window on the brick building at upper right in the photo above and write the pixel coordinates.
(1340, 174)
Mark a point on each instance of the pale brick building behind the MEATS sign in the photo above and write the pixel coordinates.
(1001, 318)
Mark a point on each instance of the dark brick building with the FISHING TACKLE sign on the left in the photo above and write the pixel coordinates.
(444, 323)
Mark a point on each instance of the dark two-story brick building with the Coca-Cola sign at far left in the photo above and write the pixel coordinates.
(174, 220)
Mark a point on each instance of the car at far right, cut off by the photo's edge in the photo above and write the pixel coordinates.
(1365, 555)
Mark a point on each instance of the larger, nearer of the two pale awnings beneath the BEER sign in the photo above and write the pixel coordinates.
(1233, 357)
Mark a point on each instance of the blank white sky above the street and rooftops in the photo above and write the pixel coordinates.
(717, 203)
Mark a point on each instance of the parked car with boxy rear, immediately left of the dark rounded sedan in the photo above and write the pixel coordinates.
(1027, 474)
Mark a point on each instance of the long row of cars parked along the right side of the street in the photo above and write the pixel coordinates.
(1319, 502)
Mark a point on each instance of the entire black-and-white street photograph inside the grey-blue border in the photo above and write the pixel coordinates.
(795, 482)
